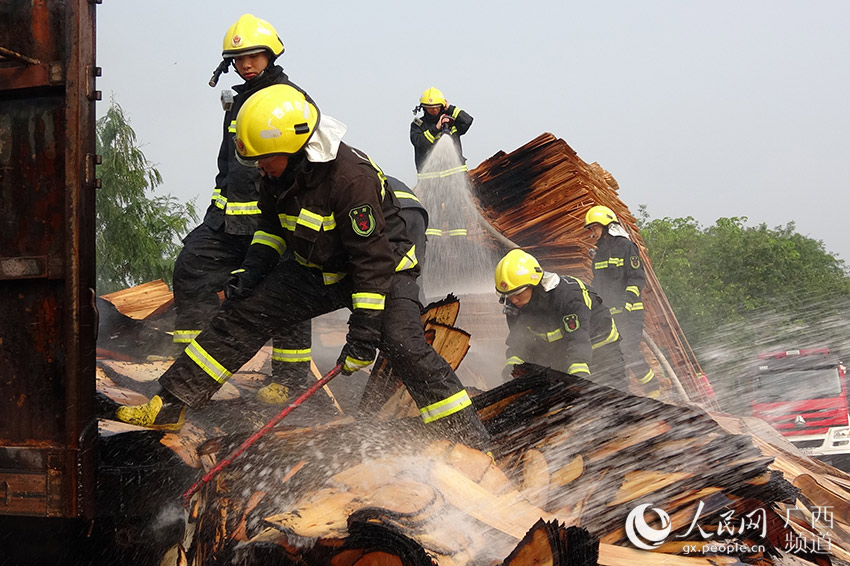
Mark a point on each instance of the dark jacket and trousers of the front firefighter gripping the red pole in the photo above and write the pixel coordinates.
(351, 249)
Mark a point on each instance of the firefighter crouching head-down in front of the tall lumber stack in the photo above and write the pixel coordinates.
(558, 322)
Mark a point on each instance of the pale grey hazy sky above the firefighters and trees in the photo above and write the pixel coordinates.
(698, 108)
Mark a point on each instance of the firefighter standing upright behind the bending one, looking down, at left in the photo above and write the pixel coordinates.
(217, 247)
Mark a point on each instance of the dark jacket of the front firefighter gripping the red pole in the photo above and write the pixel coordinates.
(337, 217)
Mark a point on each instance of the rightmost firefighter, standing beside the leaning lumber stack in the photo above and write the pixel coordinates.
(619, 276)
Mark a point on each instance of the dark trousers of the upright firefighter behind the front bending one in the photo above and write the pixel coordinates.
(201, 272)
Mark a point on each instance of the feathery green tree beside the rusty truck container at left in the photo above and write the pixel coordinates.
(138, 234)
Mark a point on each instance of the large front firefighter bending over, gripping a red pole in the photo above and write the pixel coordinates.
(329, 205)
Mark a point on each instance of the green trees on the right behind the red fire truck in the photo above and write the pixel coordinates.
(739, 290)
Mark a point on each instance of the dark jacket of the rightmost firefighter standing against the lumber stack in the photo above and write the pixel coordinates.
(618, 273)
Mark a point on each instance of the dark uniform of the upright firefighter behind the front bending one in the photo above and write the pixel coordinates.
(217, 247)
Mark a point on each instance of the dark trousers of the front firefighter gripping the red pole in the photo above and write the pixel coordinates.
(292, 294)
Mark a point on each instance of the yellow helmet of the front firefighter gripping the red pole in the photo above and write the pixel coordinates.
(277, 120)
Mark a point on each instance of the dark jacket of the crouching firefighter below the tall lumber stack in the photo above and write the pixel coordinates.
(560, 326)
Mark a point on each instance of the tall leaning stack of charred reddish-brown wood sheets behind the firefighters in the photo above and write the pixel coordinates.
(536, 197)
